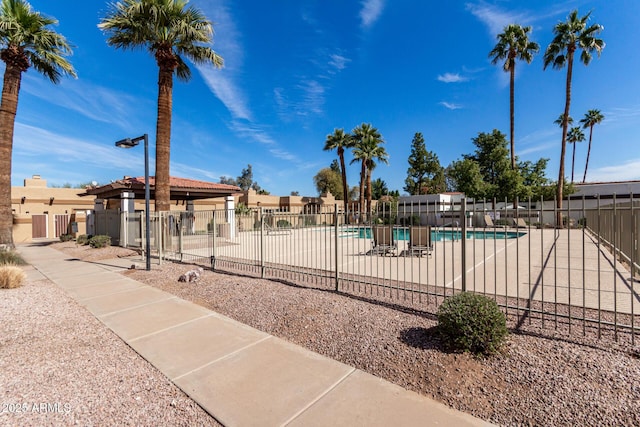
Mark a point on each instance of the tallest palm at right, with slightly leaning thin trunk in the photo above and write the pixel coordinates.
(571, 35)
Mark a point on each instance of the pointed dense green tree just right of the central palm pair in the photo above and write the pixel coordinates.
(425, 175)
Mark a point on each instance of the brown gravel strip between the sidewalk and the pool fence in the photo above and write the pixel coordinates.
(542, 378)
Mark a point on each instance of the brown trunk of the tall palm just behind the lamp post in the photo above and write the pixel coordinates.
(163, 139)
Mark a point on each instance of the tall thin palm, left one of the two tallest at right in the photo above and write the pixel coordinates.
(513, 43)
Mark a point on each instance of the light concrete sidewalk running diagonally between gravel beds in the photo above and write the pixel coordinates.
(241, 376)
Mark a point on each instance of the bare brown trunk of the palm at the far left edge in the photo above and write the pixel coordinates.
(8, 109)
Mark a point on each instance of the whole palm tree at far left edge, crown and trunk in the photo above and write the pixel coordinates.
(25, 41)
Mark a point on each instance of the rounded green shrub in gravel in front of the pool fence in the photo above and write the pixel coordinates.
(471, 322)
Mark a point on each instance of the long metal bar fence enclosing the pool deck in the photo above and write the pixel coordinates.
(581, 277)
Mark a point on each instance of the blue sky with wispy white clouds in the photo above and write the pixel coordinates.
(296, 70)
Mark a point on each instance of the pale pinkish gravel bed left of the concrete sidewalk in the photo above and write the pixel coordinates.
(60, 366)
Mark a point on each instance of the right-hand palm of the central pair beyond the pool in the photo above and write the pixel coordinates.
(367, 149)
